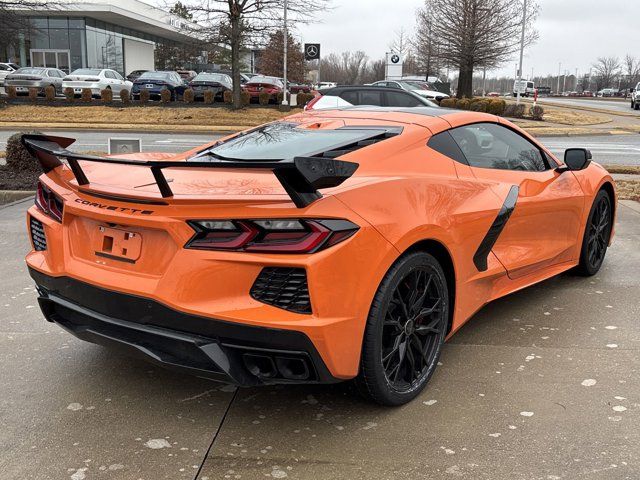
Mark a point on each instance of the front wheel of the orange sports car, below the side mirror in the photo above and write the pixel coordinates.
(596, 236)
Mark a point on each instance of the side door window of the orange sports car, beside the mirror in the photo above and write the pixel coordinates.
(488, 145)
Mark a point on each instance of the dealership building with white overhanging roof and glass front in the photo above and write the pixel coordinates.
(119, 34)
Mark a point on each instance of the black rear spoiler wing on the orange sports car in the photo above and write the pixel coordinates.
(301, 177)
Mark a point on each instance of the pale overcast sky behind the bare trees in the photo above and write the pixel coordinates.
(574, 32)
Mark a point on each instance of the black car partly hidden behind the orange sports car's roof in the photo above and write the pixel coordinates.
(338, 97)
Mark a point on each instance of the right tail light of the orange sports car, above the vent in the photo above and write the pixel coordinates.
(271, 235)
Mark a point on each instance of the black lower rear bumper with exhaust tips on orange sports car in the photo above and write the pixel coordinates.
(233, 353)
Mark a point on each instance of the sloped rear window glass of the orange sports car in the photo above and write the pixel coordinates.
(282, 140)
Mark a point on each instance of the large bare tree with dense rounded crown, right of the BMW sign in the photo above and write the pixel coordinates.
(473, 33)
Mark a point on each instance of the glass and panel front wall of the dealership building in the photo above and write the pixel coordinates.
(91, 43)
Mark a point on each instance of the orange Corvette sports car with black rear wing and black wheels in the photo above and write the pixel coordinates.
(322, 247)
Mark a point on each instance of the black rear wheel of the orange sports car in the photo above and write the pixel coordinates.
(389, 370)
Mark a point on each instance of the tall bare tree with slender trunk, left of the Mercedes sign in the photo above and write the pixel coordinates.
(241, 23)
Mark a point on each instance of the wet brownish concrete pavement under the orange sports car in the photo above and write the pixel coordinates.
(544, 384)
